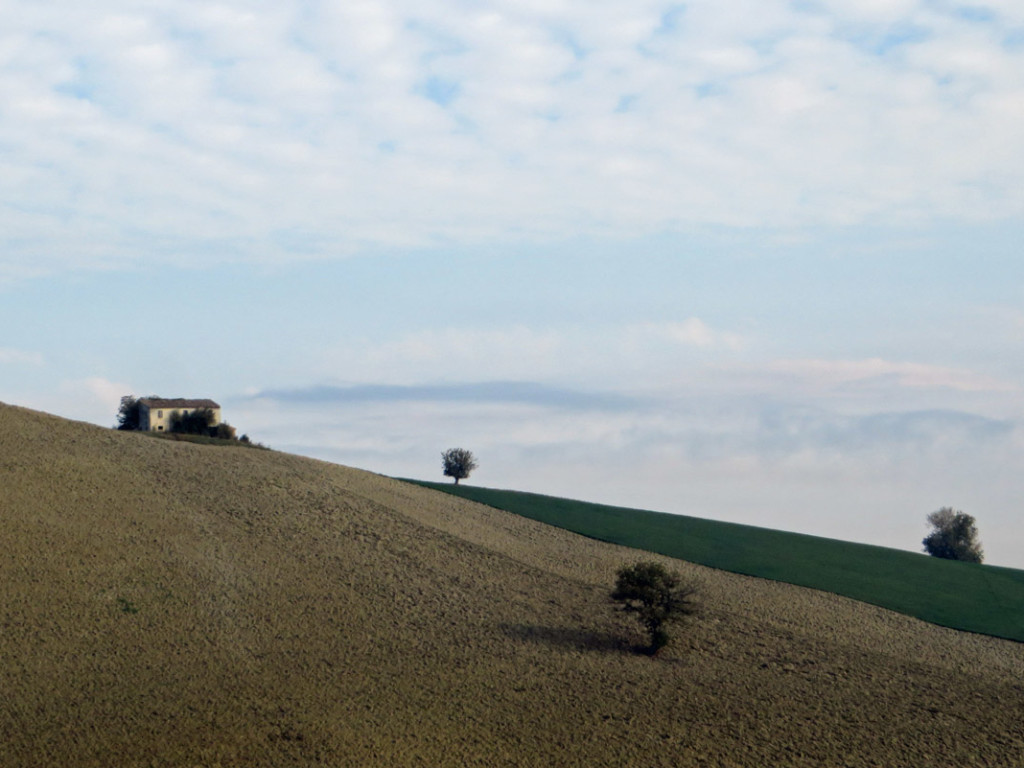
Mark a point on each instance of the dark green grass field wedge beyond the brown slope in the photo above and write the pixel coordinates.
(964, 596)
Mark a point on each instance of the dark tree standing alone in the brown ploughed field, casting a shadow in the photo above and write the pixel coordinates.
(658, 596)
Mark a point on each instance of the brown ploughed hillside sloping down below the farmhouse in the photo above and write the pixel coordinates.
(173, 605)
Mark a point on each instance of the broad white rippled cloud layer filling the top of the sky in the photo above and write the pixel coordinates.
(224, 133)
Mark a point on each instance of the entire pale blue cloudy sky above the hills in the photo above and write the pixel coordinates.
(757, 262)
